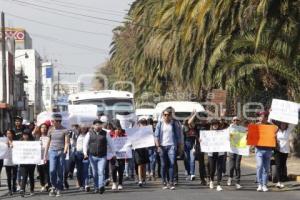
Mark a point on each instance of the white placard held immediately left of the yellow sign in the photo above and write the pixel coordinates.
(215, 141)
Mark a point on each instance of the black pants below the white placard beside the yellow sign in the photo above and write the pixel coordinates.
(216, 163)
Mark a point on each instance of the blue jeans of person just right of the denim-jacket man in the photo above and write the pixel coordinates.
(189, 158)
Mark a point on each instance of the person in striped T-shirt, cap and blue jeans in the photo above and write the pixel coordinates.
(56, 151)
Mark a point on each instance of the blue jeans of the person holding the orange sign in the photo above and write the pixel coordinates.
(263, 159)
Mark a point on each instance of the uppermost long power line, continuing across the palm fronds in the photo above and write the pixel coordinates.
(84, 15)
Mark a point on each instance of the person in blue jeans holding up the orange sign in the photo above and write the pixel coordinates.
(263, 158)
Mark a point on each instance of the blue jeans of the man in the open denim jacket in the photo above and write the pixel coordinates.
(167, 159)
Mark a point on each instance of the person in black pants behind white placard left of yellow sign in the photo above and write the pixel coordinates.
(216, 161)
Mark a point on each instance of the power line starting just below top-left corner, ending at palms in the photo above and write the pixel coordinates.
(57, 26)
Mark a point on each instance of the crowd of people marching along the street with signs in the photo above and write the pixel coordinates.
(85, 149)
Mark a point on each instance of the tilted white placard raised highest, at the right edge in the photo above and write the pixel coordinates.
(285, 111)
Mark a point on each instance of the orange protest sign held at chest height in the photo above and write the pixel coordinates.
(262, 135)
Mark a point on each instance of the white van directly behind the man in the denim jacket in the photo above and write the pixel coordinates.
(183, 109)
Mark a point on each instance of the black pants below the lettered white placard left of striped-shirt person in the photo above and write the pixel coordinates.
(27, 171)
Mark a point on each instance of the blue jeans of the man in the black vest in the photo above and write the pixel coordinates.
(98, 166)
